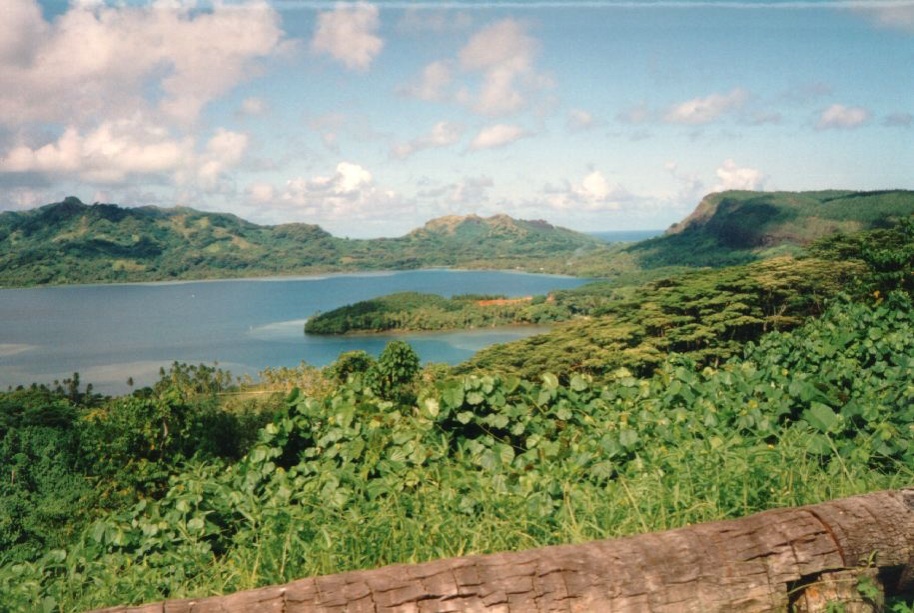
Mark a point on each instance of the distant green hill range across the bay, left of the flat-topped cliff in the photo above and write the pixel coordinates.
(72, 242)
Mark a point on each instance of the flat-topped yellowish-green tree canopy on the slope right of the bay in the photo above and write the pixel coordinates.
(707, 315)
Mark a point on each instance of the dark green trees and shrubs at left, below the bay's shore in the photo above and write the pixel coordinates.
(68, 455)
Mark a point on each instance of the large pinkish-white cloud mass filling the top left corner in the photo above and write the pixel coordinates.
(106, 61)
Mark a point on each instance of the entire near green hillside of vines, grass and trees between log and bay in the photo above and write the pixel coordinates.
(158, 494)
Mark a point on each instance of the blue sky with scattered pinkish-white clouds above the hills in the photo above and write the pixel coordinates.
(370, 119)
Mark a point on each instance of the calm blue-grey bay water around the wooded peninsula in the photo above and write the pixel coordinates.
(108, 333)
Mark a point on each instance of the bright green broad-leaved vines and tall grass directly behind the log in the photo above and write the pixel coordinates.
(488, 463)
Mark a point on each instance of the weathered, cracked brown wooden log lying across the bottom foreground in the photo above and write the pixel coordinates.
(785, 559)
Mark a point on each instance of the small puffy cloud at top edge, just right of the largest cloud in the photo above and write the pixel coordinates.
(349, 35)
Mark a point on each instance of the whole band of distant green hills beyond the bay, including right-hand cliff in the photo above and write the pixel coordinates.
(70, 242)
